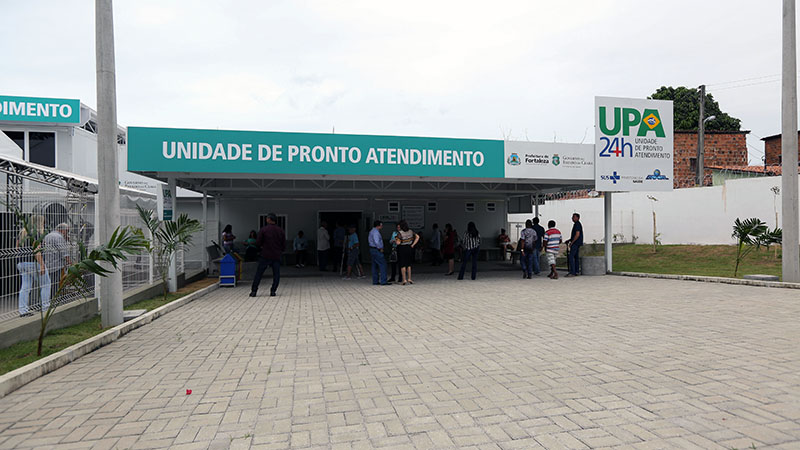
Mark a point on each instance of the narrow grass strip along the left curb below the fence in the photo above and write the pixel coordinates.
(23, 353)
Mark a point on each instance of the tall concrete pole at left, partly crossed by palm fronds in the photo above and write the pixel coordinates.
(107, 170)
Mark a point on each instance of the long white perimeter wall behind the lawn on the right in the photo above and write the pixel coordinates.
(684, 216)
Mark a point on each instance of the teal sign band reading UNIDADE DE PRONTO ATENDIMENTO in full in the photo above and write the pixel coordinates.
(215, 151)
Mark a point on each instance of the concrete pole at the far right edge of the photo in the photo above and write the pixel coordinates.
(791, 219)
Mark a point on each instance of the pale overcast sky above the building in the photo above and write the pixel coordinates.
(472, 69)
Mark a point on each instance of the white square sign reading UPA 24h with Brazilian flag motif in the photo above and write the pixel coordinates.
(633, 144)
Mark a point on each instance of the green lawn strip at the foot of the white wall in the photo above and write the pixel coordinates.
(702, 260)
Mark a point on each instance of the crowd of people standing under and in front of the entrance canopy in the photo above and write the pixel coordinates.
(342, 250)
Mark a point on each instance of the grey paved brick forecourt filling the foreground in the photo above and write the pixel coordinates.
(496, 363)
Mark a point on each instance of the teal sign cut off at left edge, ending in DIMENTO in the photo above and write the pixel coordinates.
(36, 109)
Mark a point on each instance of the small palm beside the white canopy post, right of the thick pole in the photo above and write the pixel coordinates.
(167, 237)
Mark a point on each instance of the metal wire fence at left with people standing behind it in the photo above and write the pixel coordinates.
(64, 208)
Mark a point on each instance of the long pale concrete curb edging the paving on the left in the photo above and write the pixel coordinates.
(17, 378)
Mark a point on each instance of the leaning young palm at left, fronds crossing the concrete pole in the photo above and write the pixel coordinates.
(72, 281)
